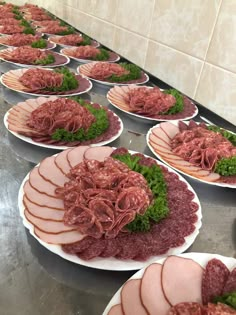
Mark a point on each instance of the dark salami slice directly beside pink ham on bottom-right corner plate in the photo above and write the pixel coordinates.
(214, 280)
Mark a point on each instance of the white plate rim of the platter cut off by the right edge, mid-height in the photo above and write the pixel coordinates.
(180, 171)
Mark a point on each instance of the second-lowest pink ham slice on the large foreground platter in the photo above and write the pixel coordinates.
(47, 226)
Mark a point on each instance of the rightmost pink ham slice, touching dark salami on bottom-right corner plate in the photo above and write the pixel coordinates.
(181, 273)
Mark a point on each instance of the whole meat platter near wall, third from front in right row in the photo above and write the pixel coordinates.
(149, 103)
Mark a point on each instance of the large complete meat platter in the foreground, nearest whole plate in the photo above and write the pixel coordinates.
(37, 206)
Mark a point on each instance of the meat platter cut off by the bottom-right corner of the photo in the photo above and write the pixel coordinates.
(181, 287)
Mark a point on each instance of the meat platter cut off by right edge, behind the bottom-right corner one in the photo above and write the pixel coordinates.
(203, 152)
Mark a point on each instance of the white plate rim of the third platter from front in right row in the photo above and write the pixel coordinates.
(109, 96)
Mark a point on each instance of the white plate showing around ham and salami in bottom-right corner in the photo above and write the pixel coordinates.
(201, 258)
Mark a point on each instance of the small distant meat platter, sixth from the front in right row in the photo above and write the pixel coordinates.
(73, 40)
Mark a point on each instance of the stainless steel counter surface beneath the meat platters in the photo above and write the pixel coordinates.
(33, 281)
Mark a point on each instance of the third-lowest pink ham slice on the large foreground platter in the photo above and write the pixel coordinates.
(43, 212)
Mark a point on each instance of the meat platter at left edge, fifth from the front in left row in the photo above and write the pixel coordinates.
(18, 40)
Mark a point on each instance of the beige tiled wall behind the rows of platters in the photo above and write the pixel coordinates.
(187, 43)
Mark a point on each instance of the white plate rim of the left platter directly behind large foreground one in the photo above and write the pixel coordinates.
(61, 147)
